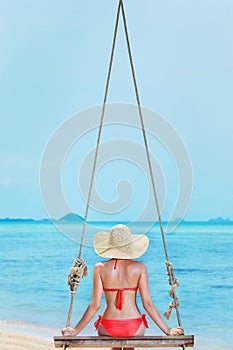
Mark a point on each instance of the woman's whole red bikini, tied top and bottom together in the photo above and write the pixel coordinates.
(123, 327)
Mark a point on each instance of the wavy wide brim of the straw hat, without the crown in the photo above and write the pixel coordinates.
(133, 249)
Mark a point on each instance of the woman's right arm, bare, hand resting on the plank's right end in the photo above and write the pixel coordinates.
(150, 307)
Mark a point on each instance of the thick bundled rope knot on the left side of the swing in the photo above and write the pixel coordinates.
(77, 271)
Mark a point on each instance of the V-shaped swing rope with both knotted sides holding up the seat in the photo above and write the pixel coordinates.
(79, 268)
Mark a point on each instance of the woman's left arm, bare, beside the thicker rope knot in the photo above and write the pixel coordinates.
(92, 308)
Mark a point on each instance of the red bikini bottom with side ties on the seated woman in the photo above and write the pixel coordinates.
(121, 328)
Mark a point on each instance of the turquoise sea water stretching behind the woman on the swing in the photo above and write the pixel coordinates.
(36, 258)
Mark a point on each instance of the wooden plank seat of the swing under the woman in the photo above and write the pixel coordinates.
(108, 342)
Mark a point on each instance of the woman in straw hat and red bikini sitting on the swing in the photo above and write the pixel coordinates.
(120, 277)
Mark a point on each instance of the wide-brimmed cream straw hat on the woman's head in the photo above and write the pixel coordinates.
(120, 243)
